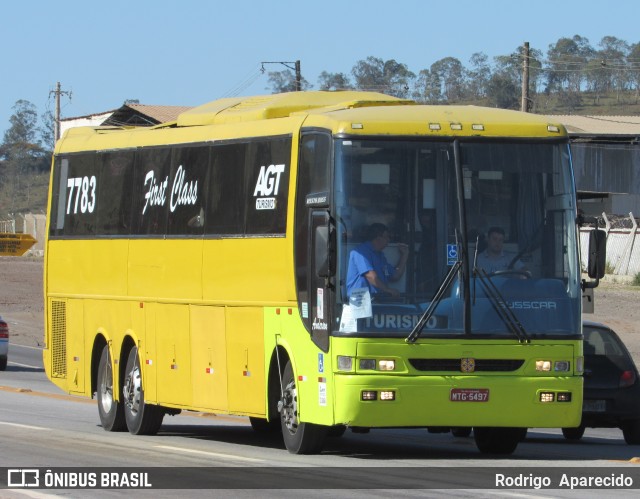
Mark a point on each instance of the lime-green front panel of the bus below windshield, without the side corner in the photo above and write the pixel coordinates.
(423, 399)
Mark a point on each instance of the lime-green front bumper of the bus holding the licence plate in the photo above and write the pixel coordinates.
(419, 401)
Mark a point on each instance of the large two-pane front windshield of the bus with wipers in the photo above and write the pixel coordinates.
(487, 227)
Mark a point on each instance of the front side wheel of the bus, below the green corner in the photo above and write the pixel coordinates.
(299, 438)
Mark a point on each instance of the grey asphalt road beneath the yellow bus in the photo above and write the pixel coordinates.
(40, 427)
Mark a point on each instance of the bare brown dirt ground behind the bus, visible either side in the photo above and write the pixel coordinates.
(21, 304)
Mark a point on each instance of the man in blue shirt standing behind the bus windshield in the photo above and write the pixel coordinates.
(368, 267)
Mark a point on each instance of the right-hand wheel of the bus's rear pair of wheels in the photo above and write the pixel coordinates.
(142, 419)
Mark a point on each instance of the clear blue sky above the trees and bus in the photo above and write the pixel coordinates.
(190, 52)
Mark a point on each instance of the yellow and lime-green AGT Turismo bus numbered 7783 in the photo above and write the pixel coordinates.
(210, 264)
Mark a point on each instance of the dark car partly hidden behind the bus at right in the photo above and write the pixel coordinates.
(611, 385)
